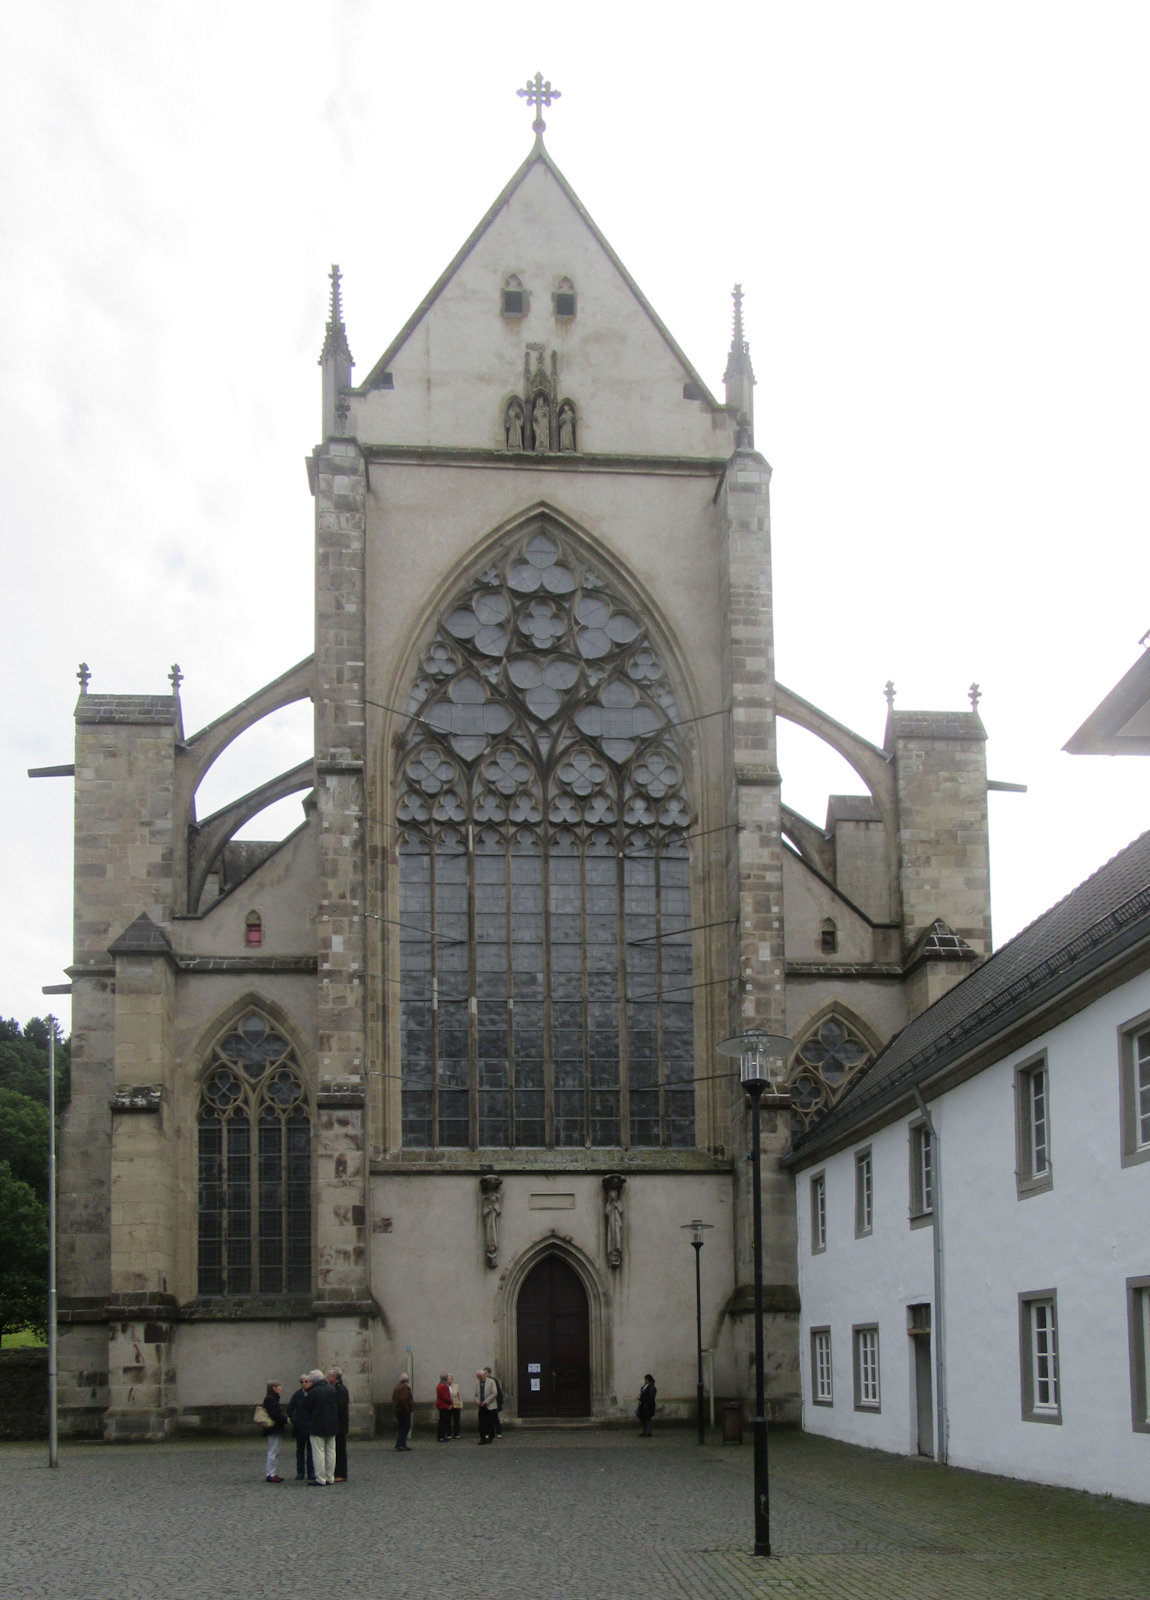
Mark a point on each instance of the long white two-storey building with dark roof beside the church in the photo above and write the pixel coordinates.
(975, 1215)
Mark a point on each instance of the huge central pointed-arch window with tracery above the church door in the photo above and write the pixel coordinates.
(545, 870)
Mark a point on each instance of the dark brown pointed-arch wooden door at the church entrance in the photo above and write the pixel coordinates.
(554, 1343)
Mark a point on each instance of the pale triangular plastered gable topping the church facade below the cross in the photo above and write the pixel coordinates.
(449, 377)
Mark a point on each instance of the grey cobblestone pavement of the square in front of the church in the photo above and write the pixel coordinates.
(553, 1516)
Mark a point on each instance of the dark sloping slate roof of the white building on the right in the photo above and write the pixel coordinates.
(1096, 922)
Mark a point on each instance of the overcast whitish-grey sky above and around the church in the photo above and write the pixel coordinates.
(940, 220)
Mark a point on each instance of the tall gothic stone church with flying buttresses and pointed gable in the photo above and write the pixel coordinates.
(433, 1082)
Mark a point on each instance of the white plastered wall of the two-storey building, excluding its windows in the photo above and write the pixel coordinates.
(1082, 1239)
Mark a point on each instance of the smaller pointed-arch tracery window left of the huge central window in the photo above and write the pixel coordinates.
(255, 1143)
